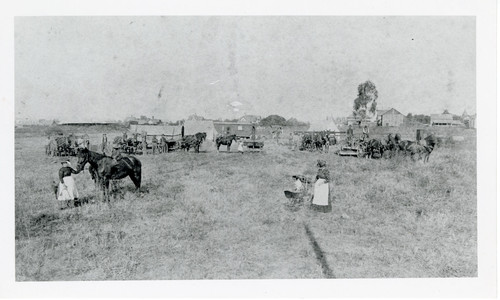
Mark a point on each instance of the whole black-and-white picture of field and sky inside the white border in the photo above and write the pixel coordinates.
(245, 147)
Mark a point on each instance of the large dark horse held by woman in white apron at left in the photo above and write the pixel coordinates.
(104, 168)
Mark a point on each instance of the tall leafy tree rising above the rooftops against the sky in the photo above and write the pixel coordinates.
(365, 105)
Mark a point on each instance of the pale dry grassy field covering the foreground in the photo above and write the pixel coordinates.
(223, 216)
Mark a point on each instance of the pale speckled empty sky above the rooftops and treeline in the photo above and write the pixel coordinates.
(81, 69)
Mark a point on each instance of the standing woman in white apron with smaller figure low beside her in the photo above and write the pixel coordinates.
(321, 198)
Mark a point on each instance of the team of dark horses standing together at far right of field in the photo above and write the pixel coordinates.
(394, 145)
